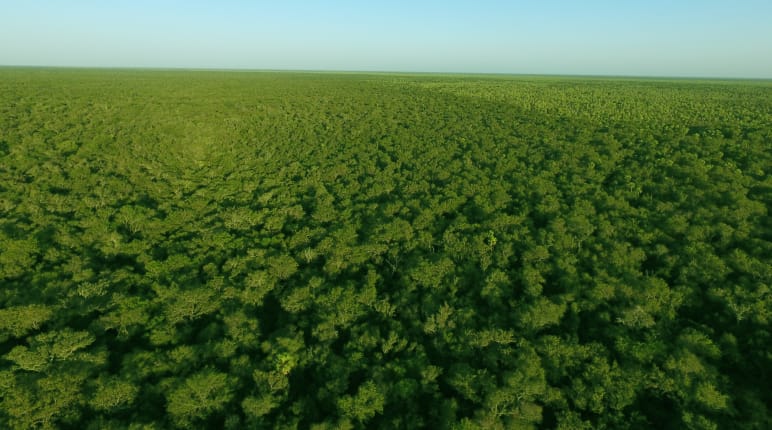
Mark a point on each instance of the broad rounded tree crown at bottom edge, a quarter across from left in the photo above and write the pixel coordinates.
(198, 397)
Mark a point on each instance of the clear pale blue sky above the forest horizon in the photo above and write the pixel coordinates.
(701, 38)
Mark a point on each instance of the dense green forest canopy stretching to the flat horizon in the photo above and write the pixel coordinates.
(312, 250)
